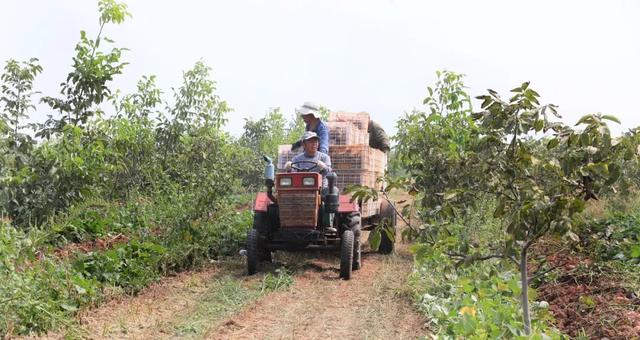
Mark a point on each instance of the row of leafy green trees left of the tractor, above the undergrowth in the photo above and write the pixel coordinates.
(145, 146)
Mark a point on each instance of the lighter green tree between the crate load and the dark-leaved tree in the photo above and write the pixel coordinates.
(436, 148)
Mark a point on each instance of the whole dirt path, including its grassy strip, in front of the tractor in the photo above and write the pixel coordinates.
(220, 302)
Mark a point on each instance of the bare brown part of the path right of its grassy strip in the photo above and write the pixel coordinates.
(374, 304)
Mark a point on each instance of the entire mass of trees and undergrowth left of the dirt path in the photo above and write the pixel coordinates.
(158, 178)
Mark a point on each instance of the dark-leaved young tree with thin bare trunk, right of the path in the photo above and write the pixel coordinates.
(540, 196)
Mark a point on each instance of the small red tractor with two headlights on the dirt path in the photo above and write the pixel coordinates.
(302, 215)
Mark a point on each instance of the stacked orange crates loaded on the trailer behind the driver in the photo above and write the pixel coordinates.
(353, 160)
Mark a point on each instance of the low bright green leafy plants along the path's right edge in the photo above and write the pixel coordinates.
(479, 301)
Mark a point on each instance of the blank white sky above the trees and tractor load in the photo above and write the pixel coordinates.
(373, 55)
